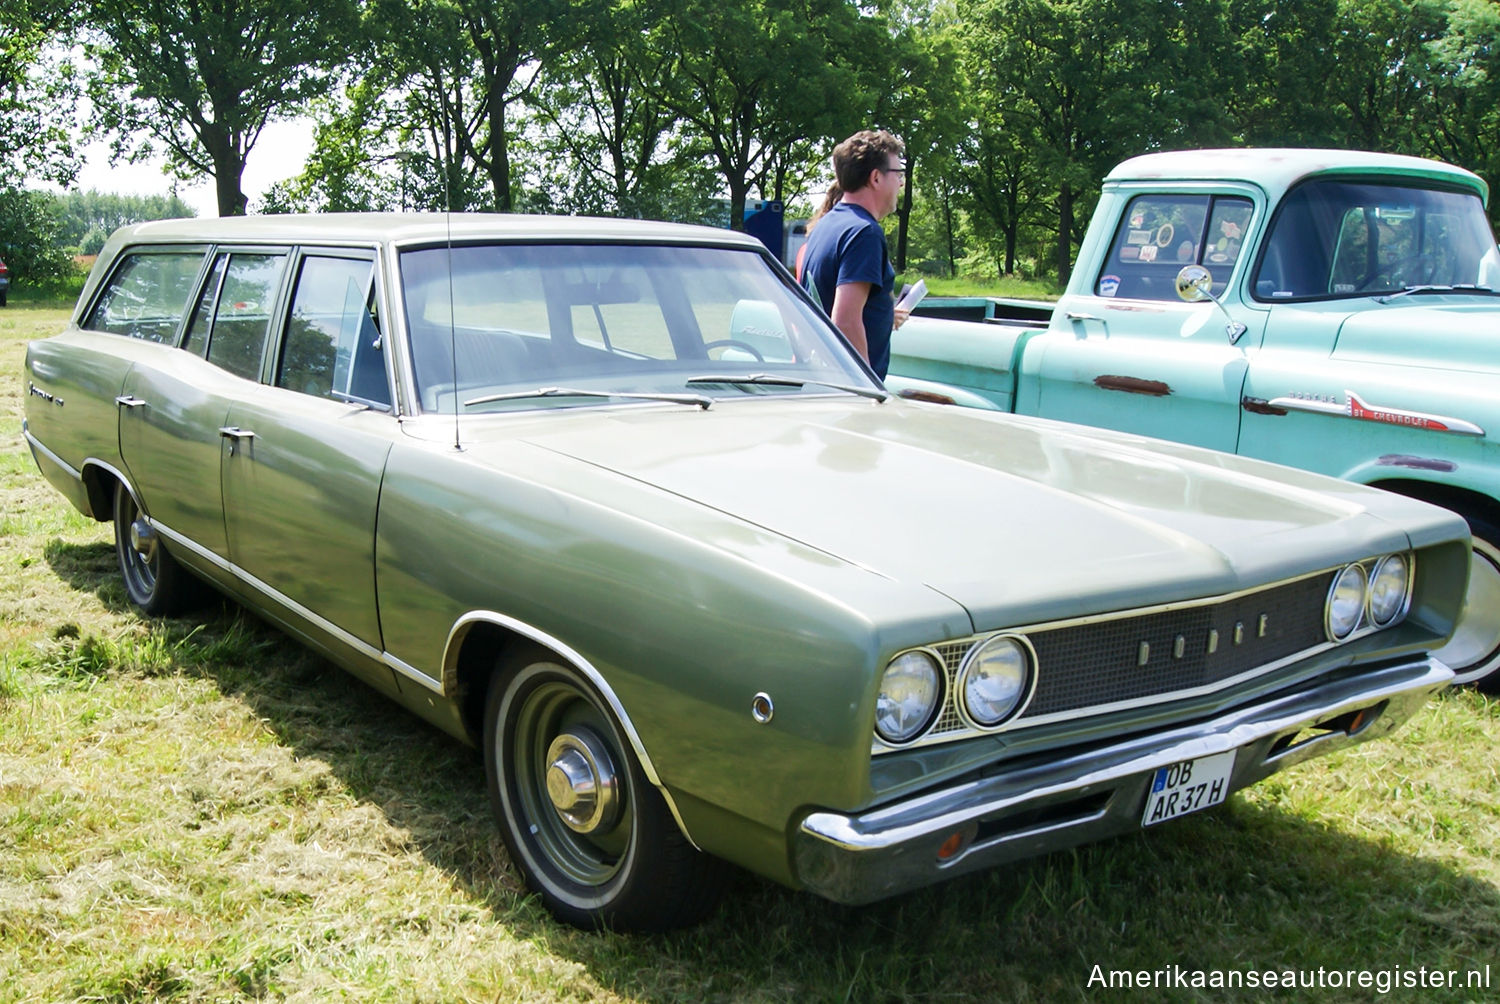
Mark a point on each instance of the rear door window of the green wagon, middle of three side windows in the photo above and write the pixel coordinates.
(235, 313)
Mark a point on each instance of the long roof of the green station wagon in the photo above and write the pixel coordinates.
(421, 227)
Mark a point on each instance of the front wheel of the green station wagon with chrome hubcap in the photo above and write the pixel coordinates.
(581, 822)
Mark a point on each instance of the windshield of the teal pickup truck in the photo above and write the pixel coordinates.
(1340, 239)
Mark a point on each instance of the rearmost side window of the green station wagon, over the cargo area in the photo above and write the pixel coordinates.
(148, 296)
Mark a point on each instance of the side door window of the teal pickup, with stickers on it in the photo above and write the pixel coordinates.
(1162, 233)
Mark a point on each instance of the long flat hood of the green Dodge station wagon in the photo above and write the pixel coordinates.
(1018, 520)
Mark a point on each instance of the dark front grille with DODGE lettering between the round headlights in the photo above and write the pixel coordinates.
(1100, 663)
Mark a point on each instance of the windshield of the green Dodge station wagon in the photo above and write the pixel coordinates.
(502, 328)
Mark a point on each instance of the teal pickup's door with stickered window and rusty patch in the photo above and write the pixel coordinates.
(1126, 352)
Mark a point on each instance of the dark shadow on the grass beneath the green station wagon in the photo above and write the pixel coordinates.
(1241, 888)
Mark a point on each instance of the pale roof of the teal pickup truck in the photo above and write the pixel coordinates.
(1277, 170)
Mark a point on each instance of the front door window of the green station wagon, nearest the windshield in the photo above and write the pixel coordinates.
(334, 346)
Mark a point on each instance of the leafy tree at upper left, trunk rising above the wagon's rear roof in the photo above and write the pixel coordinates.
(200, 79)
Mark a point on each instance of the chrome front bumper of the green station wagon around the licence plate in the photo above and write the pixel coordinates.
(1094, 793)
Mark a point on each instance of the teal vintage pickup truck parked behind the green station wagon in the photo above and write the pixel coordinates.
(1328, 310)
